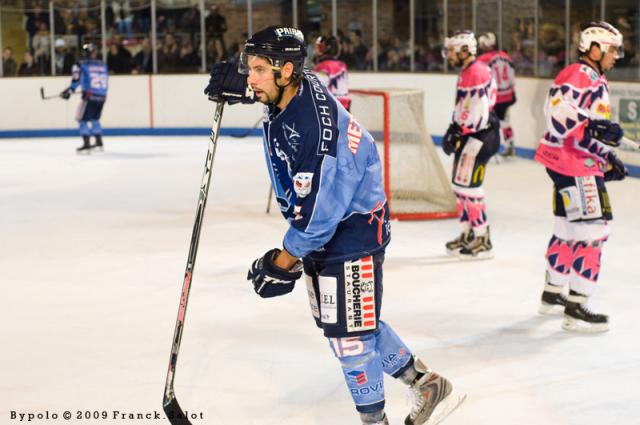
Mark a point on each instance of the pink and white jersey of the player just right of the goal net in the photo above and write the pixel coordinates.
(475, 98)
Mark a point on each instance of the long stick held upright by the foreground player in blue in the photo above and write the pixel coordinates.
(170, 404)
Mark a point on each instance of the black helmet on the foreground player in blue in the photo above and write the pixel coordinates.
(278, 44)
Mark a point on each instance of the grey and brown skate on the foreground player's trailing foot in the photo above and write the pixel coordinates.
(432, 398)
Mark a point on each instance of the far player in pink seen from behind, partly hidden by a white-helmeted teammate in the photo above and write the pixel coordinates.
(504, 73)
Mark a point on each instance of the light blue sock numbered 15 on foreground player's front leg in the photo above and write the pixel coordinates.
(362, 370)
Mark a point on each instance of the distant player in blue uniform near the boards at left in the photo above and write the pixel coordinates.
(93, 76)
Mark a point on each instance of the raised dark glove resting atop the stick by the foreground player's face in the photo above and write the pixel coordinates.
(227, 84)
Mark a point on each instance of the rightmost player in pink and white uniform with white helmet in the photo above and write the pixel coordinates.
(577, 151)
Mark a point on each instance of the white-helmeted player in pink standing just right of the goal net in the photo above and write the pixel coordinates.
(473, 137)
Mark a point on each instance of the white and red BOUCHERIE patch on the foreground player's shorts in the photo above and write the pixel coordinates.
(360, 300)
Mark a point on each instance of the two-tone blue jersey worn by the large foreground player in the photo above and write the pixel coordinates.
(327, 177)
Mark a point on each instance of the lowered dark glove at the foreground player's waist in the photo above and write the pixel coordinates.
(270, 280)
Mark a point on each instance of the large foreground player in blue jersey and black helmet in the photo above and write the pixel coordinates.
(326, 175)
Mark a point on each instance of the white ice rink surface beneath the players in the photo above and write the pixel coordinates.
(92, 256)
